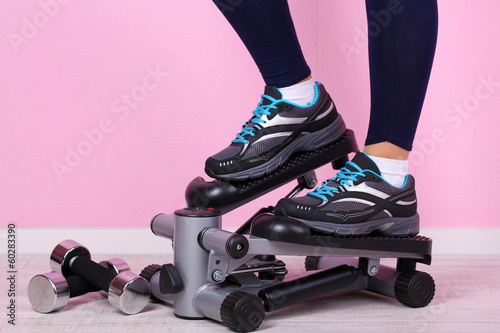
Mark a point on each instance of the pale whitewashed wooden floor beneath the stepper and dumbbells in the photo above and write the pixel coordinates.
(467, 300)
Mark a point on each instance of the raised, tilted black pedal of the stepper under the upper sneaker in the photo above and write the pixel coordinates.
(228, 195)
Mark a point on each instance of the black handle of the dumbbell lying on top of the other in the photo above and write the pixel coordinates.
(93, 273)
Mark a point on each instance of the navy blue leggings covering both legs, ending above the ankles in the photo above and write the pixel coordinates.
(402, 38)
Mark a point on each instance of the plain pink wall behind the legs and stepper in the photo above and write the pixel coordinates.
(66, 68)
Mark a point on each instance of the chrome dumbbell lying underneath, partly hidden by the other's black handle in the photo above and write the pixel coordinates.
(51, 291)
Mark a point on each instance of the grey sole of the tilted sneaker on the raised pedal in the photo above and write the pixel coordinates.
(308, 142)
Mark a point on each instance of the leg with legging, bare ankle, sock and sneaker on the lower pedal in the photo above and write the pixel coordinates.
(374, 192)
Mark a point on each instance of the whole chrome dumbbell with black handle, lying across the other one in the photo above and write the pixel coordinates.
(126, 290)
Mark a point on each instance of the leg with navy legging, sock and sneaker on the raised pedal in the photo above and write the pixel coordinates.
(294, 113)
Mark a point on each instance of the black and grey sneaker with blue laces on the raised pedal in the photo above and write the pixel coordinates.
(276, 130)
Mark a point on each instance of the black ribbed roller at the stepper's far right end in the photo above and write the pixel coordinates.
(414, 289)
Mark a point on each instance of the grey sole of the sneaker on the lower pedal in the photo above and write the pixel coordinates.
(391, 226)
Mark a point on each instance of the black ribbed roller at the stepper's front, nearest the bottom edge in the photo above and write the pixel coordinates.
(242, 312)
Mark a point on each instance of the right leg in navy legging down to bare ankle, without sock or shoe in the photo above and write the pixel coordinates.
(402, 40)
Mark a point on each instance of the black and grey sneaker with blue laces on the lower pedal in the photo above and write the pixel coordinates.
(358, 201)
